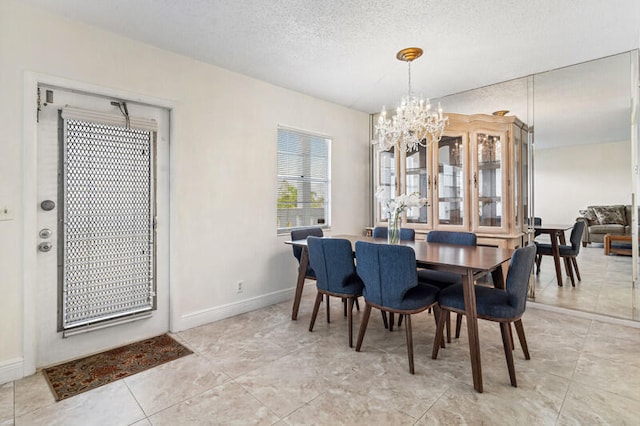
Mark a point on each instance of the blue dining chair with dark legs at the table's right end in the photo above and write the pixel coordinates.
(505, 306)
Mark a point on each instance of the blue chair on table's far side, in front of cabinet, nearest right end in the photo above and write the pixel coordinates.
(443, 279)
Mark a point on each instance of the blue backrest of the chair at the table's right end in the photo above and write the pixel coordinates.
(517, 282)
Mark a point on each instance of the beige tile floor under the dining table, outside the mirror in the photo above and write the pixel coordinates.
(263, 368)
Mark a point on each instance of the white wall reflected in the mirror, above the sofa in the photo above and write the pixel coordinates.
(571, 178)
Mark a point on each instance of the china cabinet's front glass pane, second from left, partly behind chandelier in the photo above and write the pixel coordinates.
(416, 180)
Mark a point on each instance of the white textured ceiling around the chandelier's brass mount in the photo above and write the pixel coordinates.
(344, 51)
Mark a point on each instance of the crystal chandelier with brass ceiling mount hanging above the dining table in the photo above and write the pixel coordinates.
(415, 123)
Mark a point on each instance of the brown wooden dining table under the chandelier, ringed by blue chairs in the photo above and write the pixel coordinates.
(468, 261)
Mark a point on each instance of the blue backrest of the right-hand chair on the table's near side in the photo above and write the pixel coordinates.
(387, 272)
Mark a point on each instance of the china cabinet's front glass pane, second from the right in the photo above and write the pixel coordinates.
(450, 205)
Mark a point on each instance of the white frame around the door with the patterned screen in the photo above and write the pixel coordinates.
(29, 199)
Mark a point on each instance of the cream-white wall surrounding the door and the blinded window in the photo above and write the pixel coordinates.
(223, 166)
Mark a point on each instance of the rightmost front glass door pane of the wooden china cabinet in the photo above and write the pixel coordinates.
(489, 180)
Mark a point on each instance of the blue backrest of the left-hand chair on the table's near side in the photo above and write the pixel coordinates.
(332, 261)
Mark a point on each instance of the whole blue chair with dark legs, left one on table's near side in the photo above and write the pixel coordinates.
(332, 261)
